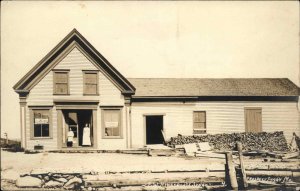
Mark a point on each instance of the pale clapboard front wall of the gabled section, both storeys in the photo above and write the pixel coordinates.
(42, 95)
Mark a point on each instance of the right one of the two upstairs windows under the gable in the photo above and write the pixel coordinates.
(90, 82)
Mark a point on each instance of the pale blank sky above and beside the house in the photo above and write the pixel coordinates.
(199, 39)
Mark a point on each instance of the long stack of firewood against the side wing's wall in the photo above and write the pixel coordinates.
(274, 141)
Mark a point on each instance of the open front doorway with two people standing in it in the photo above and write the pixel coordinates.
(78, 128)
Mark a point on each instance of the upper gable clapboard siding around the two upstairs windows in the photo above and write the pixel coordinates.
(75, 61)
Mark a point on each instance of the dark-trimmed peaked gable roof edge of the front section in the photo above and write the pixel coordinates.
(26, 83)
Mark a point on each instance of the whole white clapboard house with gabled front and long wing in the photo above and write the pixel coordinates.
(74, 86)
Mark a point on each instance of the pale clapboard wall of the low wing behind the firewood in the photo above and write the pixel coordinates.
(221, 117)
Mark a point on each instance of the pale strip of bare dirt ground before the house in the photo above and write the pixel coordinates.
(14, 164)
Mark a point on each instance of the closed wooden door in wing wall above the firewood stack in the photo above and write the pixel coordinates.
(253, 120)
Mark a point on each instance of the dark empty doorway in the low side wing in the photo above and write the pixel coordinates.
(154, 126)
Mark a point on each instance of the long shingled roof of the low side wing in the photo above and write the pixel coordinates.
(180, 87)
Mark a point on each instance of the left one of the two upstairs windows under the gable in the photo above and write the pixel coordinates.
(61, 82)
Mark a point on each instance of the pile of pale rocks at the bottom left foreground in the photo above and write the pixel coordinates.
(50, 180)
